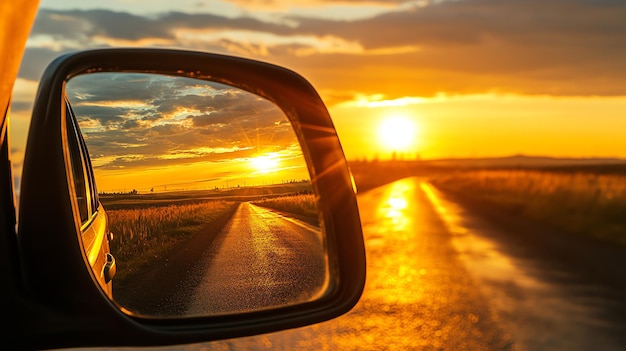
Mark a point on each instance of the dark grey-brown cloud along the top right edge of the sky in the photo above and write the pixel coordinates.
(473, 21)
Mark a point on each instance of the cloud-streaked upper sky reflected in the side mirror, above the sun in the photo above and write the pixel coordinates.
(141, 120)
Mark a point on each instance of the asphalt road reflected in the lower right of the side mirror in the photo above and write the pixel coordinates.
(260, 259)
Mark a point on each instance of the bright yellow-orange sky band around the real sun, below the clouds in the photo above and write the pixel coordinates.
(500, 126)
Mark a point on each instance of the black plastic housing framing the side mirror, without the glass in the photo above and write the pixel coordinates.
(61, 293)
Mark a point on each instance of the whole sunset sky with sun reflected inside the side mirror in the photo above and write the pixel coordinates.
(158, 133)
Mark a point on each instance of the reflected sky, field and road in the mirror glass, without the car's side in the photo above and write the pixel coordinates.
(207, 194)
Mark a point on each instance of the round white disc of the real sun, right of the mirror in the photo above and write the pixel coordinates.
(397, 133)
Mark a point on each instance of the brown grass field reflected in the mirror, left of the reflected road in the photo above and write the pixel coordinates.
(144, 235)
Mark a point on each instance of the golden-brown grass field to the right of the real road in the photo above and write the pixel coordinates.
(577, 202)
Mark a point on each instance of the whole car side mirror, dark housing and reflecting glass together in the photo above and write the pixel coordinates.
(99, 126)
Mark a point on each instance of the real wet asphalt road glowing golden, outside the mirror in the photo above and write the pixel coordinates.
(444, 277)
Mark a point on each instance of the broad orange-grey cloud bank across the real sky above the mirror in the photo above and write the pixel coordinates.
(557, 47)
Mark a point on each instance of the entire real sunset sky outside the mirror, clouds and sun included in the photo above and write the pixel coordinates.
(474, 78)
